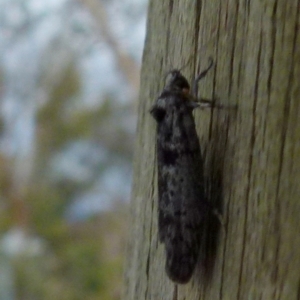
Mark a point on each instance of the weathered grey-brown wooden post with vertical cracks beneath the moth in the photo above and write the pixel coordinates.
(252, 154)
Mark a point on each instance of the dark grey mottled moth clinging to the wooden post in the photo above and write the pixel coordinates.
(182, 205)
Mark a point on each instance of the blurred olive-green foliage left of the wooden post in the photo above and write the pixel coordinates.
(80, 260)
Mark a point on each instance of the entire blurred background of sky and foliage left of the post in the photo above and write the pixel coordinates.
(69, 77)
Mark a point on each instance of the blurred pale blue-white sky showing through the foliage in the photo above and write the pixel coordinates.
(40, 34)
